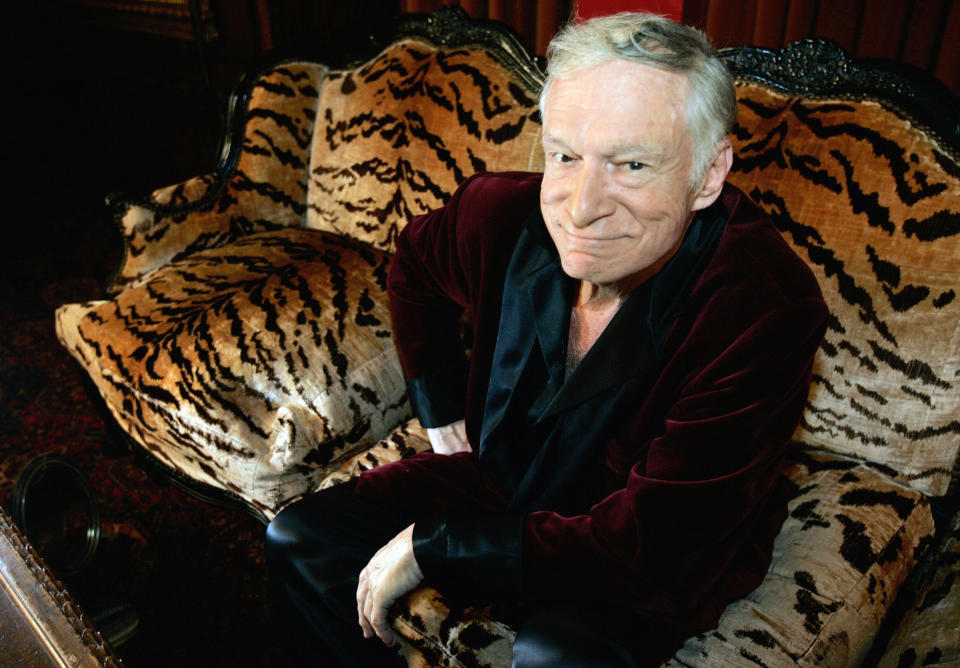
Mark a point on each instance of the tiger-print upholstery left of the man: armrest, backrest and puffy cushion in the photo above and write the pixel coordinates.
(248, 345)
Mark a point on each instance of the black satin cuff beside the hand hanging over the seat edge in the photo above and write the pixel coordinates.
(477, 557)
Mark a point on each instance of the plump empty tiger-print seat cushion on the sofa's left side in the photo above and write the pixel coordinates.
(256, 367)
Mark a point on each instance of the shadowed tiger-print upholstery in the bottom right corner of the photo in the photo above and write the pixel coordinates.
(930, 633)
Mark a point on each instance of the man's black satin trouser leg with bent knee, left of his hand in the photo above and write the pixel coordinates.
(315, 551)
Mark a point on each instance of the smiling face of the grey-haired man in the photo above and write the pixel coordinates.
(616, 195)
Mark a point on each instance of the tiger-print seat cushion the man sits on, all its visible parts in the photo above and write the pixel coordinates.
(851, 537)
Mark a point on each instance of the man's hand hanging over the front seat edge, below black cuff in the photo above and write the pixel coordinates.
(391, 573)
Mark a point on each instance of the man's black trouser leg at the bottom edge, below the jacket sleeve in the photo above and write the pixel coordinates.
(591, 635)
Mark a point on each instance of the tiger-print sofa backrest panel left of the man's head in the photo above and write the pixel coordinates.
(396, 135)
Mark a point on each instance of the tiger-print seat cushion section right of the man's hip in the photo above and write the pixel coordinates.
(851, 538)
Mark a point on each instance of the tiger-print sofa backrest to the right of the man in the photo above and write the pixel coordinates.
(873, 205)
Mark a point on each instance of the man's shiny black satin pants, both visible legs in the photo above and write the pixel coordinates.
(317, 547)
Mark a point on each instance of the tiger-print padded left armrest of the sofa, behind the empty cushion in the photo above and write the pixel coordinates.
(259, 184)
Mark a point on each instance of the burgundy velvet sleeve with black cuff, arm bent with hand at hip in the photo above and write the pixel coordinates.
(448, 261)
